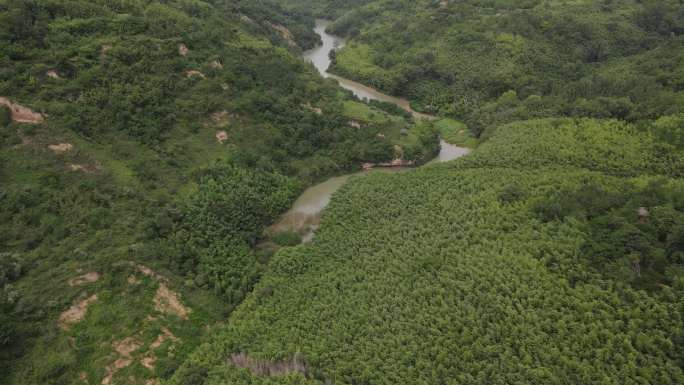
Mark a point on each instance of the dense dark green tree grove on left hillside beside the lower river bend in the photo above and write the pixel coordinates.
(213, 235)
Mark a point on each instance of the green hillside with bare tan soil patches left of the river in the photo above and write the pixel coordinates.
(144, 146)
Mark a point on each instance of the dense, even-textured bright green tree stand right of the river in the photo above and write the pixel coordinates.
(427, 277)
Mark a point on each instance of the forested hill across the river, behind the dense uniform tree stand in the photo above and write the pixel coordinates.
(493, 62)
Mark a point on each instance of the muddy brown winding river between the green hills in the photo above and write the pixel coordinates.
(304, 216)
